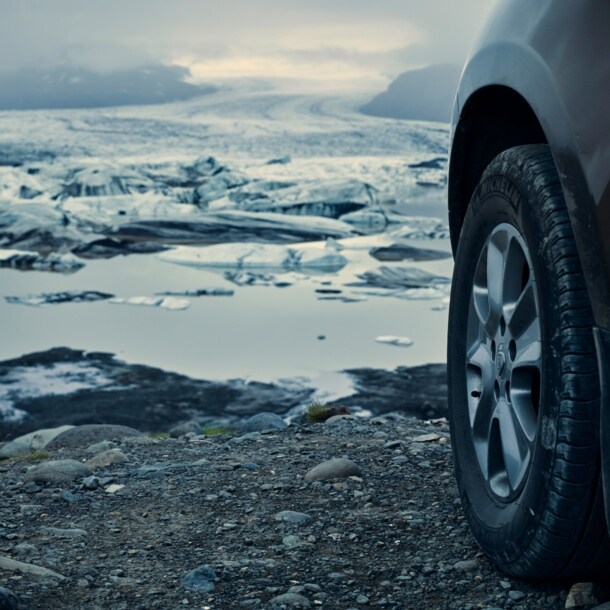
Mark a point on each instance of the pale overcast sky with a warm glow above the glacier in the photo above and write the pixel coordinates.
(329, 39)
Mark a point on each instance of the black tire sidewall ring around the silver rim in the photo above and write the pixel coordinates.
(504, 529)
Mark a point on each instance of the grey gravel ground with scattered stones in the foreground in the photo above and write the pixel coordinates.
(250, 519)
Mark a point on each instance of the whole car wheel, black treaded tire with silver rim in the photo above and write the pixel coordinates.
(524, 389)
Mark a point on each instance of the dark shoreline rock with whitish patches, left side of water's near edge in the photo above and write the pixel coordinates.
(135, 396)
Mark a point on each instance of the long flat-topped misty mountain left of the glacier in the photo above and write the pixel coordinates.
(70, 86)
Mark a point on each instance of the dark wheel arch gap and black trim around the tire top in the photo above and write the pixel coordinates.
(494, 118)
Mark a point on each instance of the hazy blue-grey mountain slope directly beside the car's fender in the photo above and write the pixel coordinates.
(423, 95)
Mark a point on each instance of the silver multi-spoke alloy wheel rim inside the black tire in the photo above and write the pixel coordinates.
(504, 361)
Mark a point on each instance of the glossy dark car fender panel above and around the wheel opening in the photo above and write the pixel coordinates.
(556, 55)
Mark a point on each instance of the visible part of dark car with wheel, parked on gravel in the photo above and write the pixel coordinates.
(529, 323)
